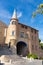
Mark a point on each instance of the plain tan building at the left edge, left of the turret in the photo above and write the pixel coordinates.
(3, 26)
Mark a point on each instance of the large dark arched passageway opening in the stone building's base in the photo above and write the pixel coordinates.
(22, 48)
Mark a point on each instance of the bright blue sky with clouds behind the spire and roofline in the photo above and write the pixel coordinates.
(24, 12)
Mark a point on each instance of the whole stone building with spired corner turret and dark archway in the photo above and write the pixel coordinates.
(23, 37)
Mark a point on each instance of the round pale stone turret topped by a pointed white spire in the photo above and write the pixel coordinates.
(12, 29)
